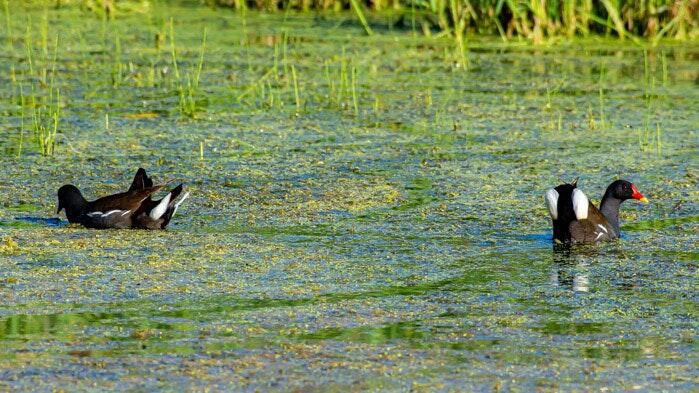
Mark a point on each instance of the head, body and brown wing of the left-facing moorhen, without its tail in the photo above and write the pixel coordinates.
(113, 211)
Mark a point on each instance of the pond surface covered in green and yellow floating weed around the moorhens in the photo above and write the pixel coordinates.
(367, 213)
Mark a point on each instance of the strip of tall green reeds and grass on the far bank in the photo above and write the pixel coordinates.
(536, 20)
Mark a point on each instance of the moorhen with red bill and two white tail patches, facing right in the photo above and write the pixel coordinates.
(577, 220)
